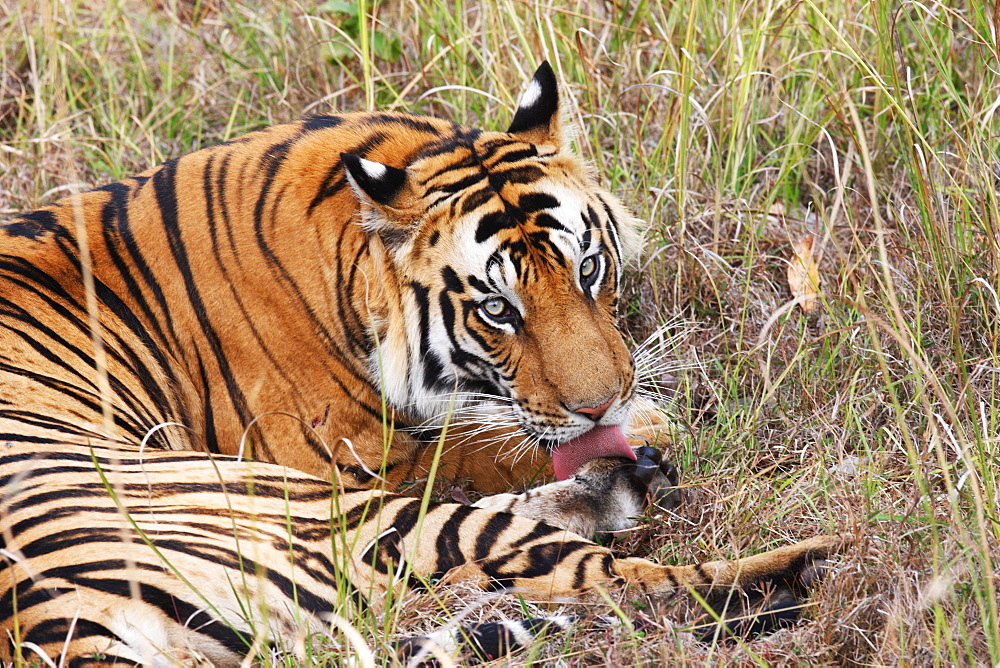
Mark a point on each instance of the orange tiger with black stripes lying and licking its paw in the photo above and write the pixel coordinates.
(223, 381)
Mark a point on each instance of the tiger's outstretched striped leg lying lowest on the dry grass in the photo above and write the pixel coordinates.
(546, 563)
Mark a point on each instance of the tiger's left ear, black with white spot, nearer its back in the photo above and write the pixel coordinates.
(388, 191)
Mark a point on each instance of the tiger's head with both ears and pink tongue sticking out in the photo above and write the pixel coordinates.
(507, 259)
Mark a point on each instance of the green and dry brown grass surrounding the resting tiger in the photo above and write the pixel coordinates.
(874, 126)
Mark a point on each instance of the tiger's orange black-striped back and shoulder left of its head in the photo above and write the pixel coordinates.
(209, 277)
